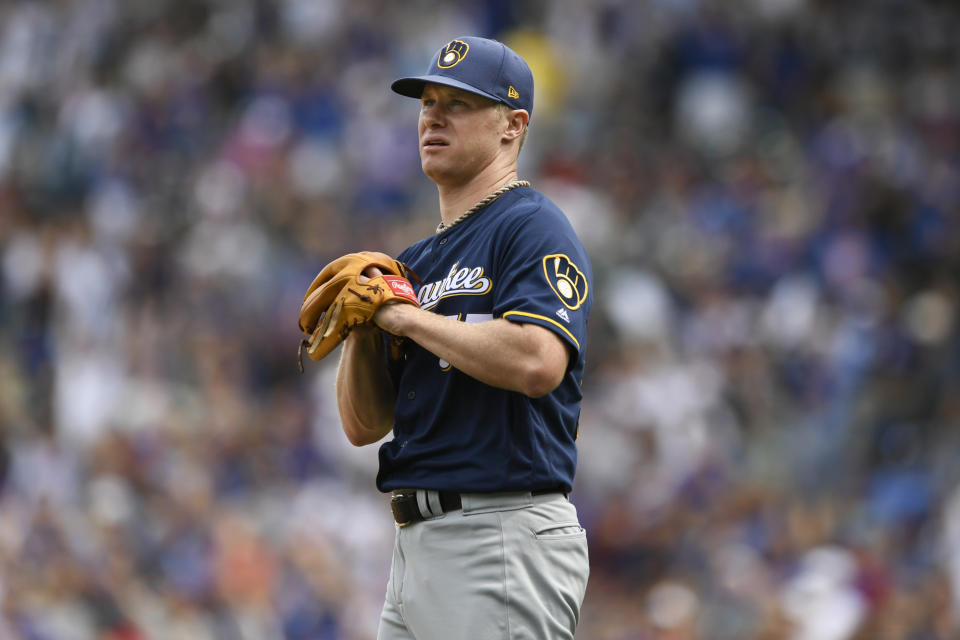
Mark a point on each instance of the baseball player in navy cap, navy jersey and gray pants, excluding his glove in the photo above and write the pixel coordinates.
(483, 395)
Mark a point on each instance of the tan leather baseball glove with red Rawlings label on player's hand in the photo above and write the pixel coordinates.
(336, 302)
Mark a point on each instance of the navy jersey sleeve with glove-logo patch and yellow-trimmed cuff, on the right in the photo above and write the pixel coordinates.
(545, 277)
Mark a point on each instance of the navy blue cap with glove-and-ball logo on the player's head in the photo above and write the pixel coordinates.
(485, 67)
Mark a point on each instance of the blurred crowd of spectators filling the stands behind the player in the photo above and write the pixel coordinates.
(770, 192)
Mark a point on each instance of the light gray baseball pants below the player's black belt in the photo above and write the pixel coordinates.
(509, 566)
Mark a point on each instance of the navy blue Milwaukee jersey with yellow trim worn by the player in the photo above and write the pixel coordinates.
(518, 259)
